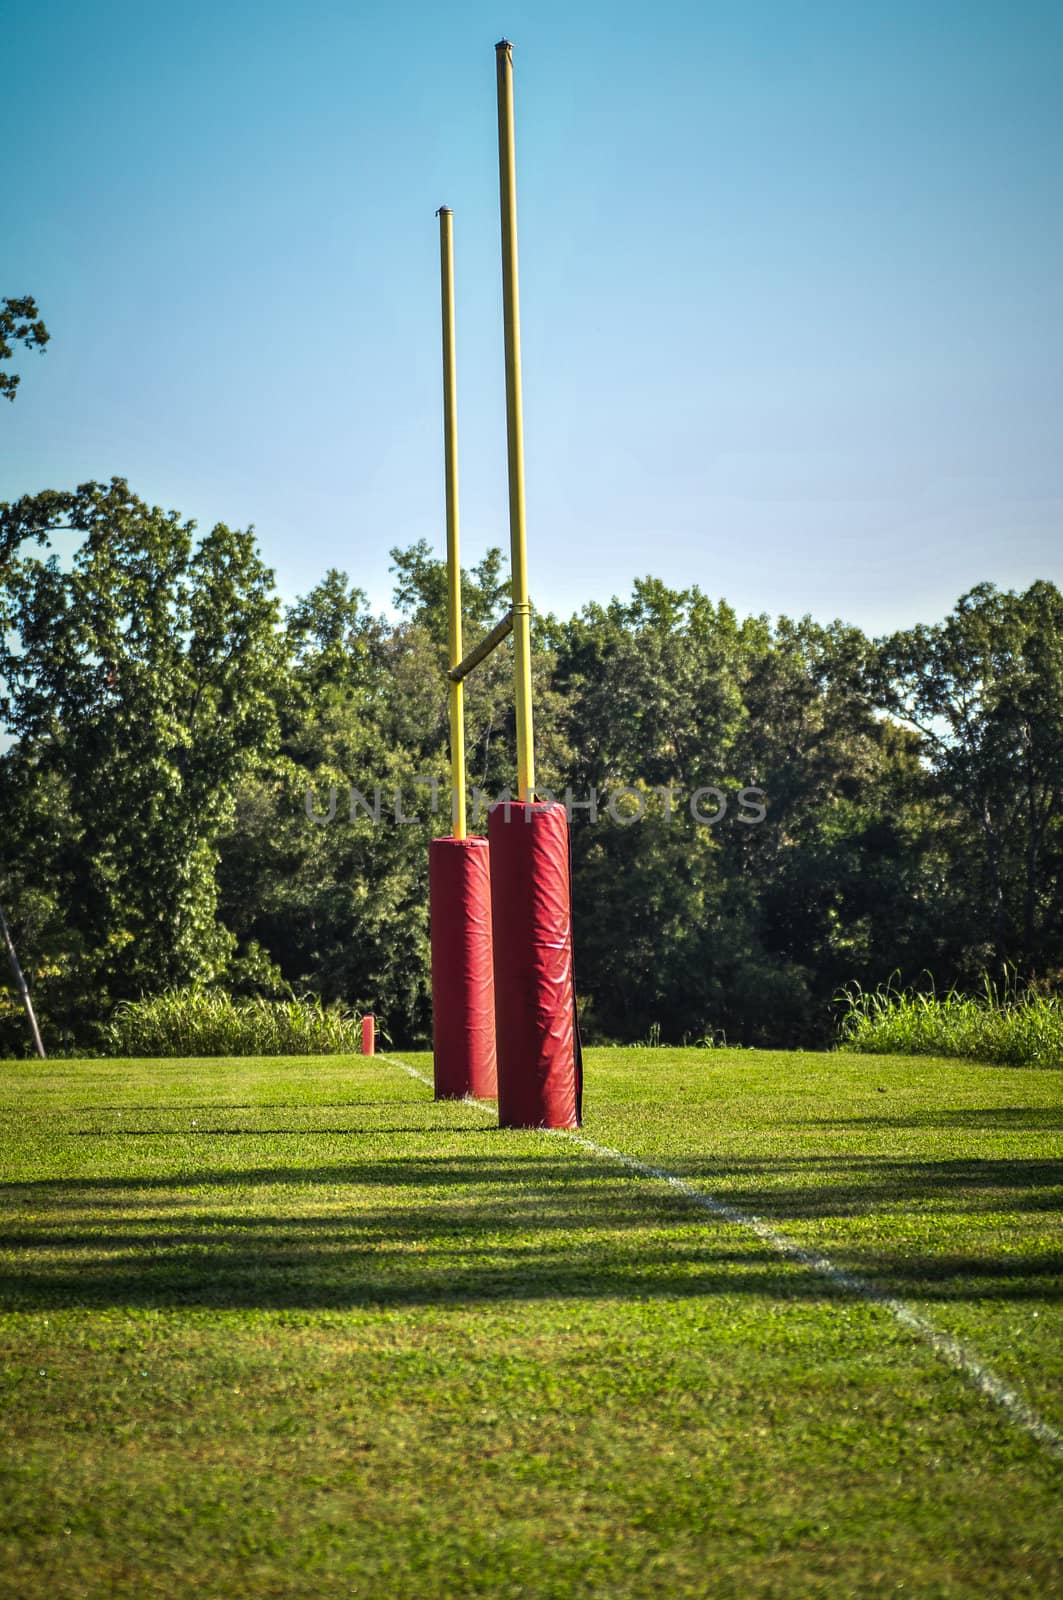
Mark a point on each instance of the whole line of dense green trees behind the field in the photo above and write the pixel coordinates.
(763, 810)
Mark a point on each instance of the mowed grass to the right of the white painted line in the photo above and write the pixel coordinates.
(937, 1182)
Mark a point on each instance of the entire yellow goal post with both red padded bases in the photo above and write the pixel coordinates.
(502, 906)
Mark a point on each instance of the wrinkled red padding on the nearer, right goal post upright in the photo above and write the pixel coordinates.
(536, 1023)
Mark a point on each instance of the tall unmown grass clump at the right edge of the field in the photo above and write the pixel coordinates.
(1009, 1023)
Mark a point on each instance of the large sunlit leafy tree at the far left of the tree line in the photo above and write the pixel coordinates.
(140, 687)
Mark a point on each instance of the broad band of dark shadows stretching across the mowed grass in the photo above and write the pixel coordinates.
(451, 1231)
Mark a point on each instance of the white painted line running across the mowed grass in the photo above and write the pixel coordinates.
(950, 1350)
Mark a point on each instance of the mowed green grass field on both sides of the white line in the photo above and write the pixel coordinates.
(289, 1329)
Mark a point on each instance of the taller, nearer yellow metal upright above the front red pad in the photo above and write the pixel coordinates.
(515, 425)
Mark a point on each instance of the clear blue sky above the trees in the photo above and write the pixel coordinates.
(792, 284)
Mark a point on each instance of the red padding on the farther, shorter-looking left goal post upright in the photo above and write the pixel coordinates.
(463, 988)
